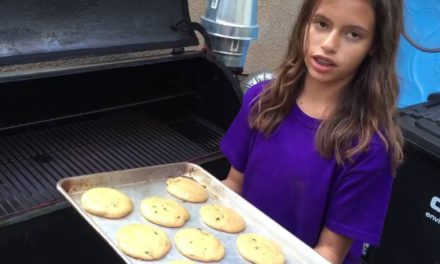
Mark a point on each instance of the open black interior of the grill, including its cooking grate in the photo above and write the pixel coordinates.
(104, 121)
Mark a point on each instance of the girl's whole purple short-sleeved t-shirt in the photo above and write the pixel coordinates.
(287, 178)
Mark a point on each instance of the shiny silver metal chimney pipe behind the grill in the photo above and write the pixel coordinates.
(231, 25)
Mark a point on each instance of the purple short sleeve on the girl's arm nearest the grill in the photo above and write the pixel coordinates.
(237, 140)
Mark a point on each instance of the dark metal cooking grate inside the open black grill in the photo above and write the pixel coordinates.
(31, 162)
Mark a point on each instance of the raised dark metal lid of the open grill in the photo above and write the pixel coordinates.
(37, 30)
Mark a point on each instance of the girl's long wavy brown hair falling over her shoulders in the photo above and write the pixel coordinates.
(366, 105)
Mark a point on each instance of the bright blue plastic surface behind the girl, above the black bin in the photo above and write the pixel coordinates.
(418, 71)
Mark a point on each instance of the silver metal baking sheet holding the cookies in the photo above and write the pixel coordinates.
(141, 183)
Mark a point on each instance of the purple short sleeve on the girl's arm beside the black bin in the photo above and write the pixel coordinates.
(359, 199)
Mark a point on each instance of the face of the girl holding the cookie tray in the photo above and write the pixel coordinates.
(340, 36)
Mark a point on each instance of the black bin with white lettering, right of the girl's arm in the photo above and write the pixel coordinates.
(412, 227)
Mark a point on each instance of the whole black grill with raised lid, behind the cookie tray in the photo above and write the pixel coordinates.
(108, 99)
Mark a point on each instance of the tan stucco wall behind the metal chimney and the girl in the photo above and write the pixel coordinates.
(275, 19)
